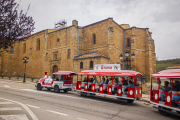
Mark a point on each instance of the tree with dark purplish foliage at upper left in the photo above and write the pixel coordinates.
(13, 25)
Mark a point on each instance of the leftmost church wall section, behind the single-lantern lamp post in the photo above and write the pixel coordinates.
(12, 65)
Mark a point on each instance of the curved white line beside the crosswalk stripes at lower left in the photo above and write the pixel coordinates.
(25, 107)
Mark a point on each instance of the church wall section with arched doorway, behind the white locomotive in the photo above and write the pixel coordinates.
(59, 44)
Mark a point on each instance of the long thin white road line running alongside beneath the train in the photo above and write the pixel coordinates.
(61, 95)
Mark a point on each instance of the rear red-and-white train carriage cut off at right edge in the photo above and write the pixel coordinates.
(166, 97)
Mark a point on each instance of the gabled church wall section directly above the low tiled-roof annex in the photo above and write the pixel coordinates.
(100, 29)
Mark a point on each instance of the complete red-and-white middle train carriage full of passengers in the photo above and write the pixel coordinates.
(118, 88)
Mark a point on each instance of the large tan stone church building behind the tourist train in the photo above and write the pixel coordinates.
(76, 48)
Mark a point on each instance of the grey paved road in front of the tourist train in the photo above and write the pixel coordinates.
(46, 105)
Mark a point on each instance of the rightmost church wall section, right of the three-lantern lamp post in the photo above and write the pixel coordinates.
(142, 45)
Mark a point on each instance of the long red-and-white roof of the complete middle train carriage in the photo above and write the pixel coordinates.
(110, 73)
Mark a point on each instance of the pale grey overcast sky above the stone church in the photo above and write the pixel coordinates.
(162, 17)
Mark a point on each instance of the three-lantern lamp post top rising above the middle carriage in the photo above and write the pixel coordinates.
(127, 59)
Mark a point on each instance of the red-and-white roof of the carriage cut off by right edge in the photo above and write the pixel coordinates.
(168, 73)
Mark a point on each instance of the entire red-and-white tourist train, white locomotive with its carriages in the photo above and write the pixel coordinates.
(123, 85)
